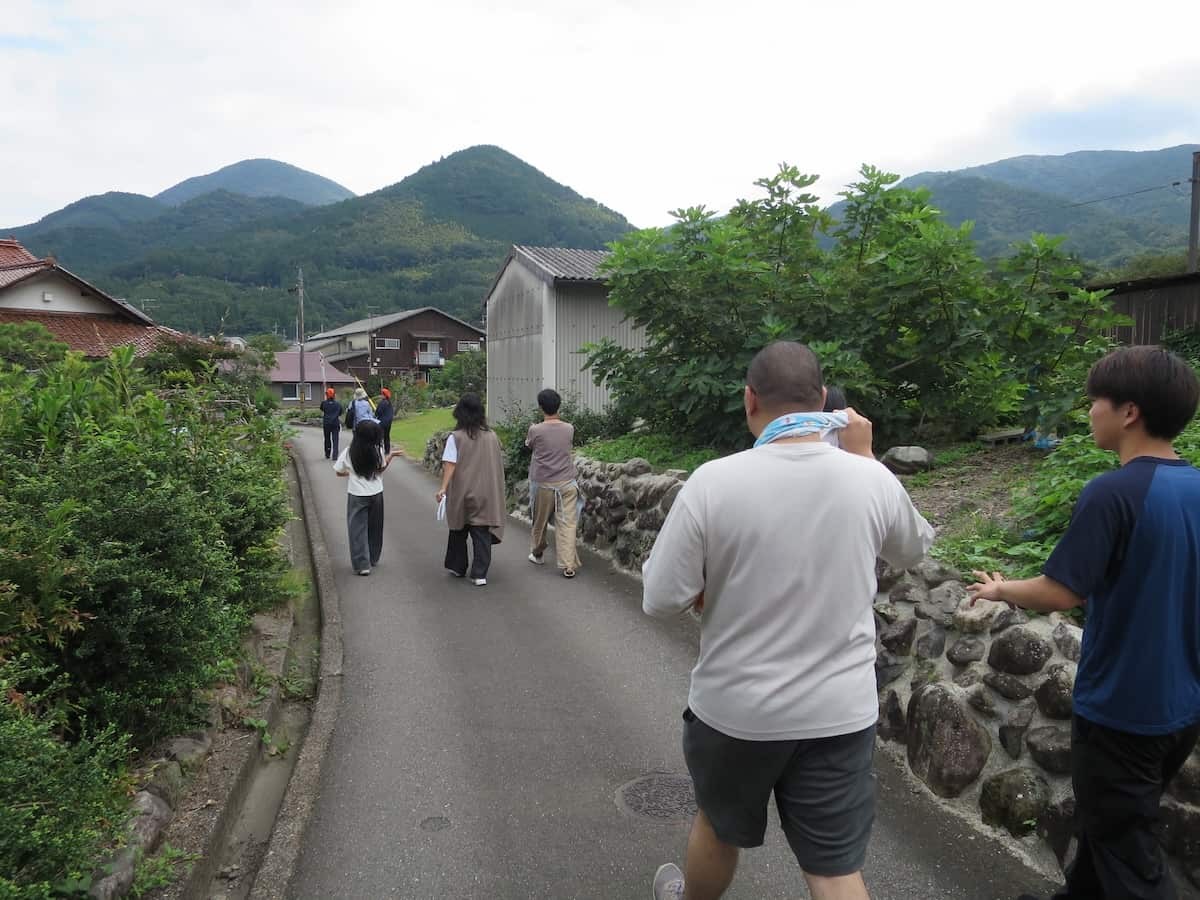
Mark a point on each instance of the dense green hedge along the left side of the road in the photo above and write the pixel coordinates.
(140, 514)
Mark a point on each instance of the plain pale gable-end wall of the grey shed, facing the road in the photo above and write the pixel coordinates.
(515, 353)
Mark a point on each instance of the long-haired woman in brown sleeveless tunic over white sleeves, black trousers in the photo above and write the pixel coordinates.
(473, 488)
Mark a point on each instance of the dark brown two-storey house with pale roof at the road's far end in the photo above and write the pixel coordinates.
(415, 343)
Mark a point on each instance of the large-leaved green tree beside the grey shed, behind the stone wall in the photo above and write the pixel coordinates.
(902, 310)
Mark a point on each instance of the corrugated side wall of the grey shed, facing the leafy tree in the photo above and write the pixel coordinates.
(584, 316)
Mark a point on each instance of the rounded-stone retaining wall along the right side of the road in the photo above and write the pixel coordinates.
(977, 700)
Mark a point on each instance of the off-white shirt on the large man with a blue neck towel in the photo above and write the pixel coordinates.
(783, 542)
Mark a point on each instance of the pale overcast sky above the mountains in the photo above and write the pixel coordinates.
(644, 105)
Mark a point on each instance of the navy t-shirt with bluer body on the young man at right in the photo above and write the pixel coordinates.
(1133, 551)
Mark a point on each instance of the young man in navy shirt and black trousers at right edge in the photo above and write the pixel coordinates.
(1132, 559)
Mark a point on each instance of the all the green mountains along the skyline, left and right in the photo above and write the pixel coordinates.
(218, 253)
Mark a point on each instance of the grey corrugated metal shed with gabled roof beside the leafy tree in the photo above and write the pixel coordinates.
(545, 304)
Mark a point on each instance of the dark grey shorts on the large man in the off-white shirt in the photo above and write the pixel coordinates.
(825, 793)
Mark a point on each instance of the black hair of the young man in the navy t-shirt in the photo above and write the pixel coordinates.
(1162, 386)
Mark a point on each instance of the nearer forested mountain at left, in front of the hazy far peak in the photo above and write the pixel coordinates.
(224, 261)
